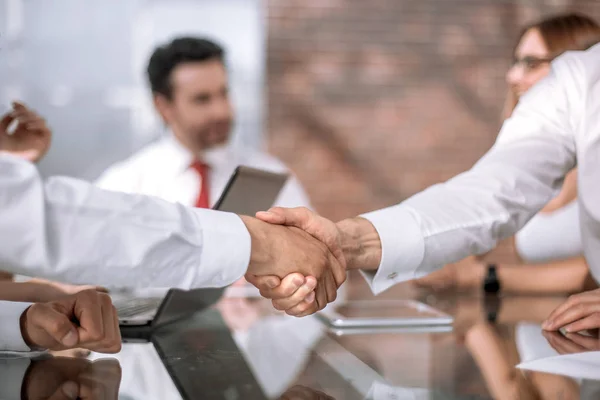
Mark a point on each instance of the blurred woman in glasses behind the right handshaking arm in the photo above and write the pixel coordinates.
(552, 239)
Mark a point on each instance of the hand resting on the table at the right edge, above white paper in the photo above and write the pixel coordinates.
(580, 312)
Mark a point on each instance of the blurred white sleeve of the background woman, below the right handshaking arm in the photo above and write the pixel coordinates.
(551, 236)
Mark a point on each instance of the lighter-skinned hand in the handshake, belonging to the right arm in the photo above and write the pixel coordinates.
(354, 243)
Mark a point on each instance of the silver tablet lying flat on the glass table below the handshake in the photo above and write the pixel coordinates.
(383, 313)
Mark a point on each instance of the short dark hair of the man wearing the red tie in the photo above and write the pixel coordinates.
(181, 50)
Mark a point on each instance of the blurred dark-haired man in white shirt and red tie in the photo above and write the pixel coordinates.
(193, 162)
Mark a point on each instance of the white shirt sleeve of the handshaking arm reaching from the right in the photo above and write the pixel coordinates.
(470, 213)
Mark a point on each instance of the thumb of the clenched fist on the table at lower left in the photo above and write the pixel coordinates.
(55, 324)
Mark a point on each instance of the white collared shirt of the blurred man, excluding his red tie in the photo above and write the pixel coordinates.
(162, 169)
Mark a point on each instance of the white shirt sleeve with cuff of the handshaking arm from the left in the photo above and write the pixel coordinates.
(72, 231)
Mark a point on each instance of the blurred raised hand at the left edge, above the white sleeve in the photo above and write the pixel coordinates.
(31, 137)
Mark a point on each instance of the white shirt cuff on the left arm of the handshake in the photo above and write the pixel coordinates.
(226, 249)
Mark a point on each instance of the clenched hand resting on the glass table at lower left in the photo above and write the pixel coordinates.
(86, 319)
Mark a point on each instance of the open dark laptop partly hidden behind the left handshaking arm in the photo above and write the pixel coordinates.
(248, 191)
